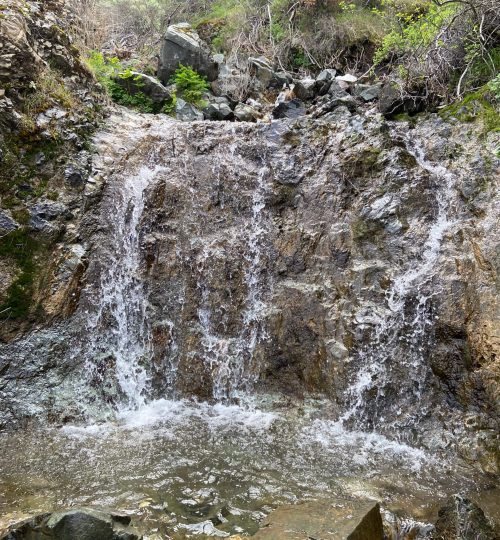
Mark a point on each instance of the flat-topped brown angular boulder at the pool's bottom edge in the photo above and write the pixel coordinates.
(338, 520)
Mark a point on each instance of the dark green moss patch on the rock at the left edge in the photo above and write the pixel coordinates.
(21, 248)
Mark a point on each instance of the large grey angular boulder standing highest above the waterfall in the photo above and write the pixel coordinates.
(182, 45)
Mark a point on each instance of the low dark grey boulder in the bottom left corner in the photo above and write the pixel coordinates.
(75, 524)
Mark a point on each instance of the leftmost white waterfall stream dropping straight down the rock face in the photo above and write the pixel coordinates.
(119, 328)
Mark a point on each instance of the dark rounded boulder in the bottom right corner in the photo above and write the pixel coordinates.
(461, 519)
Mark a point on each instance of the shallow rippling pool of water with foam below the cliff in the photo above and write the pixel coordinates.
(188, 468)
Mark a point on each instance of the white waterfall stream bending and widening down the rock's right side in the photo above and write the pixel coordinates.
(394, 359)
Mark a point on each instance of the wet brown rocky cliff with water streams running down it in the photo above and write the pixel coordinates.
(337, 254)
